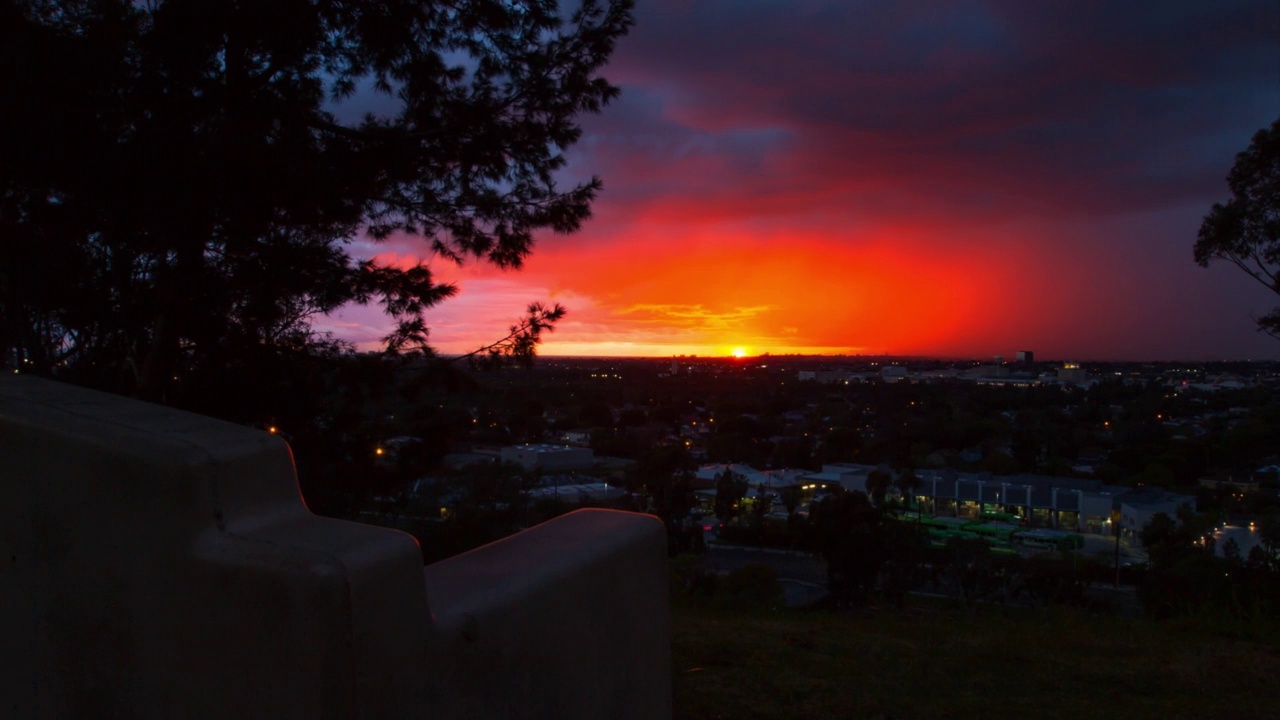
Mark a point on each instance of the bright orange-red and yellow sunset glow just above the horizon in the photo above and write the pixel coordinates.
(801, 294)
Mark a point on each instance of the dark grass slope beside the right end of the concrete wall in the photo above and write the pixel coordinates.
(936, 662)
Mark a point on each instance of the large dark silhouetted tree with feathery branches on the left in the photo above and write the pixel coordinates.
(180, 185)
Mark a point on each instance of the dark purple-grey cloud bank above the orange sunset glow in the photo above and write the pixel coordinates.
(1002, 108)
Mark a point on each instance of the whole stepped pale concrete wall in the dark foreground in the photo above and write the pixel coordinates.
(161, 564)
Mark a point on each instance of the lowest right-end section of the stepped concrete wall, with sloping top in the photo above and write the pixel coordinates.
(565, 622)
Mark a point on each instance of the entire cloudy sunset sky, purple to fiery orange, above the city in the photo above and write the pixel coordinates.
(912, 177)
